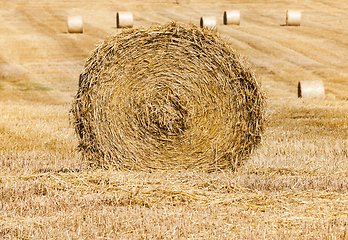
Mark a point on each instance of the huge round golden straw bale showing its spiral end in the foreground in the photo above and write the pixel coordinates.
(167, 97)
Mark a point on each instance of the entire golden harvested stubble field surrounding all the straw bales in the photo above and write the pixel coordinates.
(294, 186)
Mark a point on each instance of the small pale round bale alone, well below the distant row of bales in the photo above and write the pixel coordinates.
(311, 89)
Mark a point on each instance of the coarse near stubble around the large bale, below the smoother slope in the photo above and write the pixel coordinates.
(294, 186)
